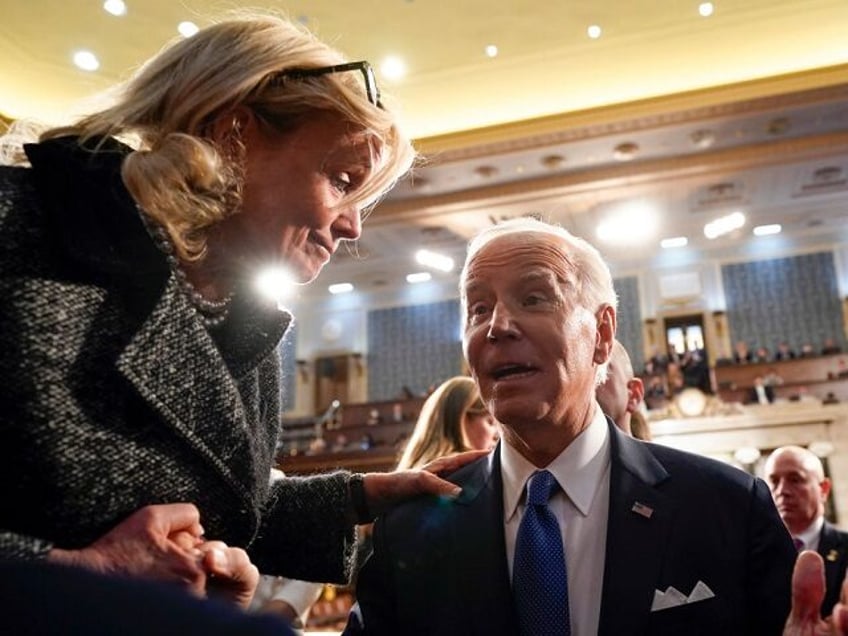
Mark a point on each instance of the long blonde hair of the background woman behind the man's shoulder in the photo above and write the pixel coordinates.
(438, 431)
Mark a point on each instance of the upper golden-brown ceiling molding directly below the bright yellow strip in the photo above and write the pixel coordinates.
(793, 89)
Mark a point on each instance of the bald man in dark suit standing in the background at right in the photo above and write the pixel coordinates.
(800, 489)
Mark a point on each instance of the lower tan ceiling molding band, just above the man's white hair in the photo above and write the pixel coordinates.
(661, 170)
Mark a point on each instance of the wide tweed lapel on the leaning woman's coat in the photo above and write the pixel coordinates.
(175, 366)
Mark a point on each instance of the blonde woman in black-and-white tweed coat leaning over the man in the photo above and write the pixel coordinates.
(139, 377)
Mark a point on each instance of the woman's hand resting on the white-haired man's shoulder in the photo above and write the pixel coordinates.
(384, 490)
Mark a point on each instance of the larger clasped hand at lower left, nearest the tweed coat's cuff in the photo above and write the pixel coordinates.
(155, 542)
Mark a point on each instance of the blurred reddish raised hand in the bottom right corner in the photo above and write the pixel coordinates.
(808, 588)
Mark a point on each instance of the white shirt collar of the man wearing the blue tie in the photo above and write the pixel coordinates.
(578, 468)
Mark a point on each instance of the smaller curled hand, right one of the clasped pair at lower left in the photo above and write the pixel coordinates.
(230, 574)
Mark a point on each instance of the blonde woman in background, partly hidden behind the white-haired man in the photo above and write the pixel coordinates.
(453, 419)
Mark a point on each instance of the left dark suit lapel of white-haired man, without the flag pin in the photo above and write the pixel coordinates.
(482, 589)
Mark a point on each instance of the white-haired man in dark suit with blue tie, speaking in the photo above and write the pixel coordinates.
(654, 540)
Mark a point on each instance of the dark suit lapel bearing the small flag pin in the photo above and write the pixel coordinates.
(638, 527)
